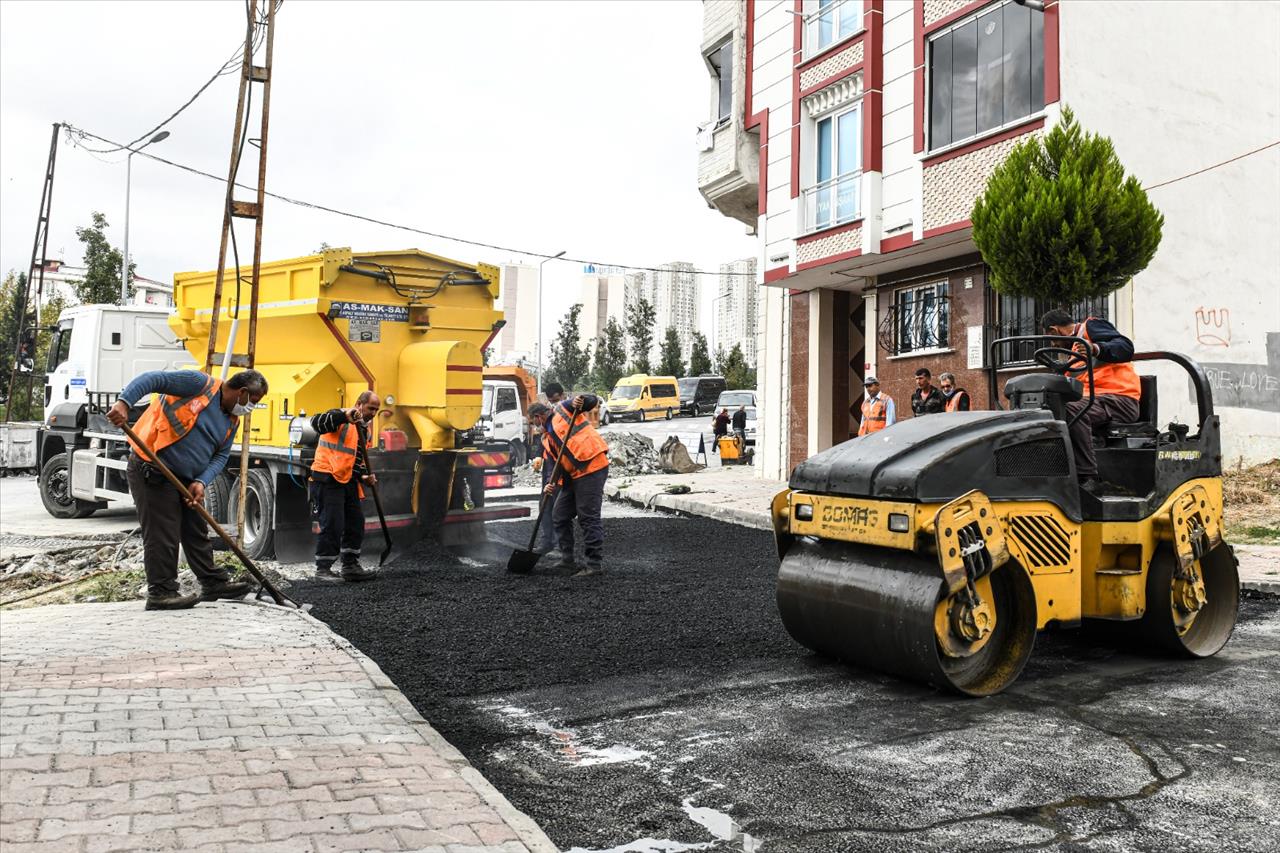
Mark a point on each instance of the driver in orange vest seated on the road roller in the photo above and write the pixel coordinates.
(1117, 389)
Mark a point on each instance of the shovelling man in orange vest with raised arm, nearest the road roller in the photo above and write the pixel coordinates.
(584, 468)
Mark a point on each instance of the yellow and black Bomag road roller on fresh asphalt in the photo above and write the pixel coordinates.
(938, 548)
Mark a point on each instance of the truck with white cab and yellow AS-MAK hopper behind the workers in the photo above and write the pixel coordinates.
(408, 325)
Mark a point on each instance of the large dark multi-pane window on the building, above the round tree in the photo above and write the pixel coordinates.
(985, 74)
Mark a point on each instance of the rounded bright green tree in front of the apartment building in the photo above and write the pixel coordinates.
(1060, 222)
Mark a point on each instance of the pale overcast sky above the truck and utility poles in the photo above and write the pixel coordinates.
(536, 125)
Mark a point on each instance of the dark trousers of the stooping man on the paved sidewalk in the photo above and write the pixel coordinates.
(168, 522)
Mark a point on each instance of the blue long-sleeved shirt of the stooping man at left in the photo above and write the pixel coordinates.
(203, 453)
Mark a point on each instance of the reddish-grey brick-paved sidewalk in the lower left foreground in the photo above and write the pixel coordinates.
(231, 727)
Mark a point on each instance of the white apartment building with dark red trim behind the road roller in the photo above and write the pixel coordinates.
(865, 131)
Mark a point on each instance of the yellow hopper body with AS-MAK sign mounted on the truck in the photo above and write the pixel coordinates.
(409, 325)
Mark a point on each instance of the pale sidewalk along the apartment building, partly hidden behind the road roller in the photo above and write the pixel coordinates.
(737, 496)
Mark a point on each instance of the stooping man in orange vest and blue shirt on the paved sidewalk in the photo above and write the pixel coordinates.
(189, 427)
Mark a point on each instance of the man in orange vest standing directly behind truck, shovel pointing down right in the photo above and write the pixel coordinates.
(335, 487)
